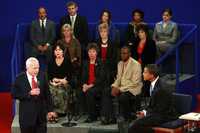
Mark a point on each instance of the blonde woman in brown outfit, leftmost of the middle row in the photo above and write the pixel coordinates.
(72, 52)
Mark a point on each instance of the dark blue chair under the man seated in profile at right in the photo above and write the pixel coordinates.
(182, 106)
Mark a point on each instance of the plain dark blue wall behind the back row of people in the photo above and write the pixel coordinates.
(14, 12)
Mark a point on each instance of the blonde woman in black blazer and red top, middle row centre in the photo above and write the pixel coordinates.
(108, 52)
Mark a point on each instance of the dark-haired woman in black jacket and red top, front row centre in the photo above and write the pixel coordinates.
(92, 81)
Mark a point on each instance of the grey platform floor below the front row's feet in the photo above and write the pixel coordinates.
(81, 127)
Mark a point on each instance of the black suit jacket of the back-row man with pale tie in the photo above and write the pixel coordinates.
(80, 28)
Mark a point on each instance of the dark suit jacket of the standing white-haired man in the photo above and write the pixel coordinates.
(32, 108)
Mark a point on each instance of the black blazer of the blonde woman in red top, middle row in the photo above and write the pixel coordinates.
(110, 64)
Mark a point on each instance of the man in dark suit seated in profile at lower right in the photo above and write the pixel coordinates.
(161, 107)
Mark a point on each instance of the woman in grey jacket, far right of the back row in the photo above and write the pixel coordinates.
(165, 32)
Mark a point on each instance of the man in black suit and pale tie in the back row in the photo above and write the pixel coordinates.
(78, 23)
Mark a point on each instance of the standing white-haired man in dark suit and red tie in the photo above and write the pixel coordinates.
(31, 89)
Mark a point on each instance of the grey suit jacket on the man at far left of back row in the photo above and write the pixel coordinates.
(36, 33)
